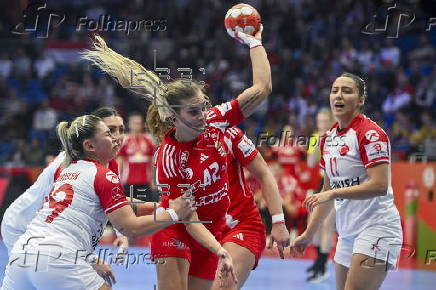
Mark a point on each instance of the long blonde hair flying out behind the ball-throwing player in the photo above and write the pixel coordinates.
(145, 83)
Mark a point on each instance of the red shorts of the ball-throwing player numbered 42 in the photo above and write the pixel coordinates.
(171, 243)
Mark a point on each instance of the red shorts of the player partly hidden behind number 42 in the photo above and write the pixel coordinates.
(250, 234)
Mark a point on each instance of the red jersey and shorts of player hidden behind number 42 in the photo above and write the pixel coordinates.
(244, 225)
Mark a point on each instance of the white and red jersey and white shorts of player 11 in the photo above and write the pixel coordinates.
(361, 224)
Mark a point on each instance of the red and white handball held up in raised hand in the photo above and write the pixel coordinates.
(244, 18)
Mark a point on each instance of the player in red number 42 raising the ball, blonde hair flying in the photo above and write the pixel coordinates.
(192, 158)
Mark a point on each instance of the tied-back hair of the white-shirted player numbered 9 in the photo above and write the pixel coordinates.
(72, 134)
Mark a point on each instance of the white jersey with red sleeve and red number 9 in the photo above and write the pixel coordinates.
(74, 214)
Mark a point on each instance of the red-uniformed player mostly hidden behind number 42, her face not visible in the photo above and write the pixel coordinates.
(244, 234)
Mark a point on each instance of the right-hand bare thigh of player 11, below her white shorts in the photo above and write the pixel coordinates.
(365, 274)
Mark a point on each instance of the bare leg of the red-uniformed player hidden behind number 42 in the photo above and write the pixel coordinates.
(243, 263)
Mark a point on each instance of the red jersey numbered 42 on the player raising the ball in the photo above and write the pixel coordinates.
(199, 166)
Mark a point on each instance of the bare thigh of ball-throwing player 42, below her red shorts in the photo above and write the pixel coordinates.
(172, 273)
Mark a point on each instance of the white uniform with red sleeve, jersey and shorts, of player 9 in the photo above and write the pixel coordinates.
(66, 229)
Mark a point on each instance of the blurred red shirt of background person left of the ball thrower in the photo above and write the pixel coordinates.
(137, 153)
